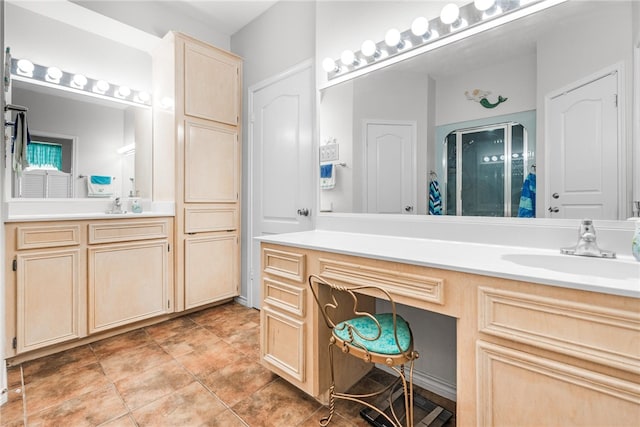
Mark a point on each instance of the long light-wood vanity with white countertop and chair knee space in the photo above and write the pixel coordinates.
(540, 343)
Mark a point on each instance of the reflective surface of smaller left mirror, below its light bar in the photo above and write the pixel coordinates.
(84, 136)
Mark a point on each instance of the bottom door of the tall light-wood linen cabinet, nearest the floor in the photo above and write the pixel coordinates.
(211, 269)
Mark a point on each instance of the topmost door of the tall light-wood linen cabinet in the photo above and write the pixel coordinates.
(211, 84)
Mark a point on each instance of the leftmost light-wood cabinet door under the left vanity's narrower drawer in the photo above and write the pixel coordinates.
(48, 302)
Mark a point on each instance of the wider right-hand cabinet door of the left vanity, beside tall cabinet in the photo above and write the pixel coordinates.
(127, 283)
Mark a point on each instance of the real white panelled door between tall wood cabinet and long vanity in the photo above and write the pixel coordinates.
(282, 171)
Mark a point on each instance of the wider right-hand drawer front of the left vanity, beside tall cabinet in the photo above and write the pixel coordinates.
(127, 231)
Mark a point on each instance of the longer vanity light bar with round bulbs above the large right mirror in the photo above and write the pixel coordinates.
(426, 34)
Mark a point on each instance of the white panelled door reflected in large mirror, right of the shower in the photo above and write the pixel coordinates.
(582, 144)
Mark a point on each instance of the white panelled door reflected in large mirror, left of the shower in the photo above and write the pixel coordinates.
(390, 167)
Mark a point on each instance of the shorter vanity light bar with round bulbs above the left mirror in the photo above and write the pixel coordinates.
(25, 70)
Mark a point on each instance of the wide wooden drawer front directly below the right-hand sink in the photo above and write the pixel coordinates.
(599, 334)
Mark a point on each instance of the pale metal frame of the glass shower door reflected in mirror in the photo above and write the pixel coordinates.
(507, 128)
